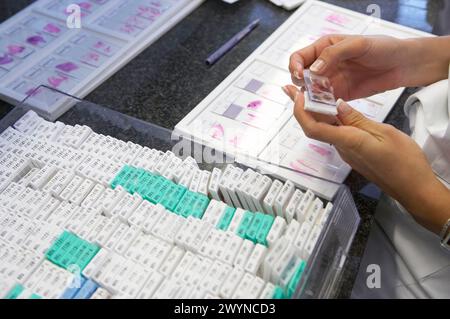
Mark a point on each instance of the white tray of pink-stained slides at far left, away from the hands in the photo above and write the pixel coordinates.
(37, 47)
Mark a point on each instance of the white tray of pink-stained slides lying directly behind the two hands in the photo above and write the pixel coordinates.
(249, 117)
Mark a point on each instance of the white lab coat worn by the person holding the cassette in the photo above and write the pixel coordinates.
(412, 263)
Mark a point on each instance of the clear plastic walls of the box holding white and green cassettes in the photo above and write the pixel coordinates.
(325, 266)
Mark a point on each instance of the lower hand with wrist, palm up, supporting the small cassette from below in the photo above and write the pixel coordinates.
(385, 156)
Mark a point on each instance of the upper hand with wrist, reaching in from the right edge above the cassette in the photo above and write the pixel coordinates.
(361, 66)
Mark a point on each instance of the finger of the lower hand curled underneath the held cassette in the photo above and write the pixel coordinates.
(314, 129)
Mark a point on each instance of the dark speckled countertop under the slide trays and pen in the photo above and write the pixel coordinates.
(168, 79)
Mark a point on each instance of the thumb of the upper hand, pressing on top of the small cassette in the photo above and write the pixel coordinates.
(351, 47)
